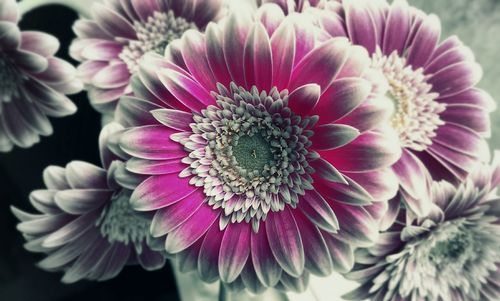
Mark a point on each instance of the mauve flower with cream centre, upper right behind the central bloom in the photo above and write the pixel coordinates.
(441, 118)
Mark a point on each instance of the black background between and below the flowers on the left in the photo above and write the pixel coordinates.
(74, 138)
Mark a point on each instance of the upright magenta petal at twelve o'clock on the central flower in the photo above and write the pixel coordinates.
(258, 59)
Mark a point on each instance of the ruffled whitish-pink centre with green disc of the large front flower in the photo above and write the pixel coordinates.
(249, 152)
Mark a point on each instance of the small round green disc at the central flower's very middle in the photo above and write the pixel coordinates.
(252, 152)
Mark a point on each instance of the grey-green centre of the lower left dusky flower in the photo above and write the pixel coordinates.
(120, 223)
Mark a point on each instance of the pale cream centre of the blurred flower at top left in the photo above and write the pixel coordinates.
(154, 35)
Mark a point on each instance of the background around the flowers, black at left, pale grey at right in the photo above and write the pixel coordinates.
(476, 22)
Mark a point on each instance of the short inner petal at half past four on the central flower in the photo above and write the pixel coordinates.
(317, 209)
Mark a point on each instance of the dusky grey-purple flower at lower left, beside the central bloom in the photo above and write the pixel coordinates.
(86, 225)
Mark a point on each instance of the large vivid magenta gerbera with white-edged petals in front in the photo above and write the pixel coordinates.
(258, 171)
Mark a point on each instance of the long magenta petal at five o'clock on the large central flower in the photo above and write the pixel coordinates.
(317, 257)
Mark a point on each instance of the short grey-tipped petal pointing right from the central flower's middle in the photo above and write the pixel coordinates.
(332, 136)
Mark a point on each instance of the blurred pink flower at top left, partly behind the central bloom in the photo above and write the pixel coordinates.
(121, 32)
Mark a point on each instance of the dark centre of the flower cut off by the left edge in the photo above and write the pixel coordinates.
(10, 78)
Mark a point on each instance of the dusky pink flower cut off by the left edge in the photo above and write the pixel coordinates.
(32, 82)
